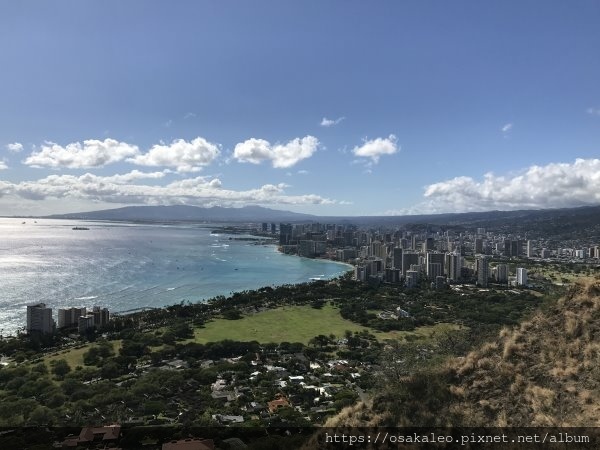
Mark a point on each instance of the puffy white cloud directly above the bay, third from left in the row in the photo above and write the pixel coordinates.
(256, 151)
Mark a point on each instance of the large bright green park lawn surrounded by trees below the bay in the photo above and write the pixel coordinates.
(295, 324)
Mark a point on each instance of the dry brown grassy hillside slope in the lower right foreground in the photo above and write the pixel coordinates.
(545, 372)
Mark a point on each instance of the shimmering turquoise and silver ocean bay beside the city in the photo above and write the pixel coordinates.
(126, 266)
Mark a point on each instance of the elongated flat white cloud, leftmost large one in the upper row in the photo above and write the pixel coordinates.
(92, 153)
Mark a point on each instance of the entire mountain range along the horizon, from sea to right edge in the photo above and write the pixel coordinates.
(565, 222)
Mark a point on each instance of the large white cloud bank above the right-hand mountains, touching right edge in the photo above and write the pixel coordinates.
(551, 186)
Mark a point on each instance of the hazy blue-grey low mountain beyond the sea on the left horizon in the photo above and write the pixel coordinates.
(189, 213)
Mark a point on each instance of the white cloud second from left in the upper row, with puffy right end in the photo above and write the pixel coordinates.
(182, 155)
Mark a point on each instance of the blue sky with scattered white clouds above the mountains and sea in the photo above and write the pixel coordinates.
(321, 107)
